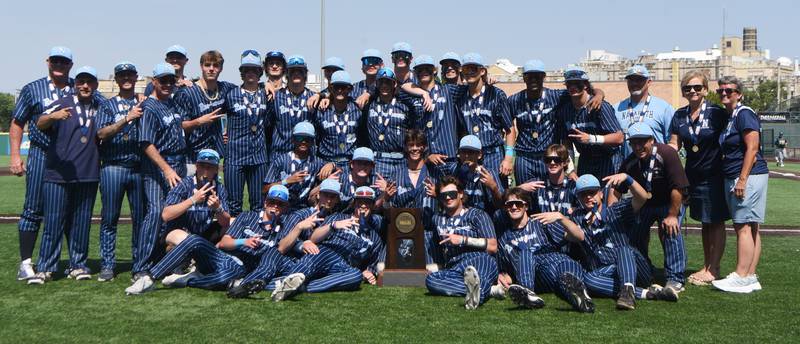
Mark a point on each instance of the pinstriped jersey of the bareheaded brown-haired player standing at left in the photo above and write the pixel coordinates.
(195, 102)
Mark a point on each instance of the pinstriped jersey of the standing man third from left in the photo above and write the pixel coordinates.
(123, 148)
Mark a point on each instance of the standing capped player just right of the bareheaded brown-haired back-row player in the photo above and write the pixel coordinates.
(246, 159)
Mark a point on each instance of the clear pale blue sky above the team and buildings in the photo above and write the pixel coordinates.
(102, 33)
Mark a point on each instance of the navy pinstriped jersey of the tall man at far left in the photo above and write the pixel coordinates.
(32, 100)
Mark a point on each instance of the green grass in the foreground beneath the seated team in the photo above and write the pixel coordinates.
(68, 311)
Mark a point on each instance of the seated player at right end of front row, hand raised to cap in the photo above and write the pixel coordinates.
(615, 268)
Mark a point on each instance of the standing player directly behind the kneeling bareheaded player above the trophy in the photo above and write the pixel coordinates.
(440, 124)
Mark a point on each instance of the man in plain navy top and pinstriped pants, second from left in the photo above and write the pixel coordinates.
(71, 177)
